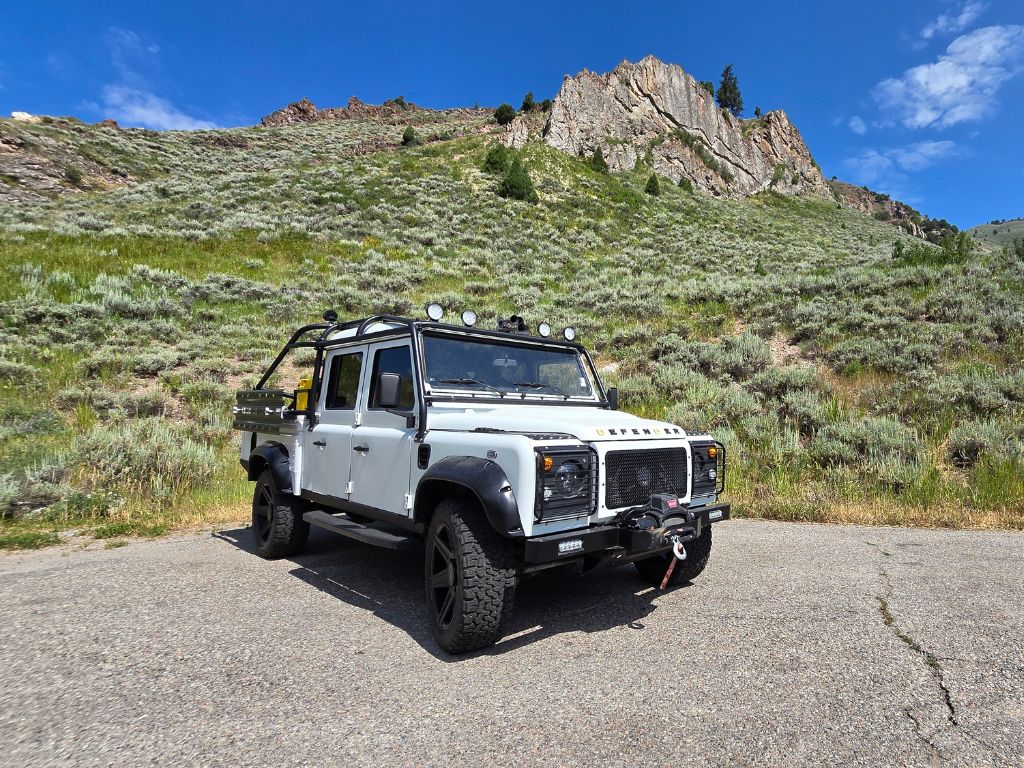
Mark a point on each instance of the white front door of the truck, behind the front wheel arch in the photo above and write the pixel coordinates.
(382, 447)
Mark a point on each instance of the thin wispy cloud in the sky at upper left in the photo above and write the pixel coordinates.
(132, 100)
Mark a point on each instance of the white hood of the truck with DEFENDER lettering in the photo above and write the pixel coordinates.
(590, 424)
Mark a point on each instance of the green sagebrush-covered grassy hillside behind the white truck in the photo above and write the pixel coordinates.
(849, 385)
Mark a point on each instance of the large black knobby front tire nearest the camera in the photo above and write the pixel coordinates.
(484, 582)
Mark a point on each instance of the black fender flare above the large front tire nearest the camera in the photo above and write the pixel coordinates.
(483, 479)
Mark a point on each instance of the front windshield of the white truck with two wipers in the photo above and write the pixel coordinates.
(494, 369)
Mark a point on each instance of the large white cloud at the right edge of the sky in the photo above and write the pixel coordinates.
(962, 86)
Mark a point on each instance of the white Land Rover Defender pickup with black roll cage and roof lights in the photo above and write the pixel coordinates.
(499, 452)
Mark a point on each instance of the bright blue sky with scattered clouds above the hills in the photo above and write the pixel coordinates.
(921, 100)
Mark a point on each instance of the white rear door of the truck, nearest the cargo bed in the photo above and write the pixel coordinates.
(329, 447)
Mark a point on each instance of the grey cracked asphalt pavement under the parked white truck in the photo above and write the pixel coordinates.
(800, 646)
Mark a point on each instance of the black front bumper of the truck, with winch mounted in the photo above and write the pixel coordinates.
(621, 542)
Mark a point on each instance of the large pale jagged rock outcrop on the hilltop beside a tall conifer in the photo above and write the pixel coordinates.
(656, 113)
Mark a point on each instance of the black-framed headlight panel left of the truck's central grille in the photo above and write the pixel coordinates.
(570, 489)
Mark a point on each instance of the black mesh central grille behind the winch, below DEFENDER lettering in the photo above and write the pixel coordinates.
(633, 477)
